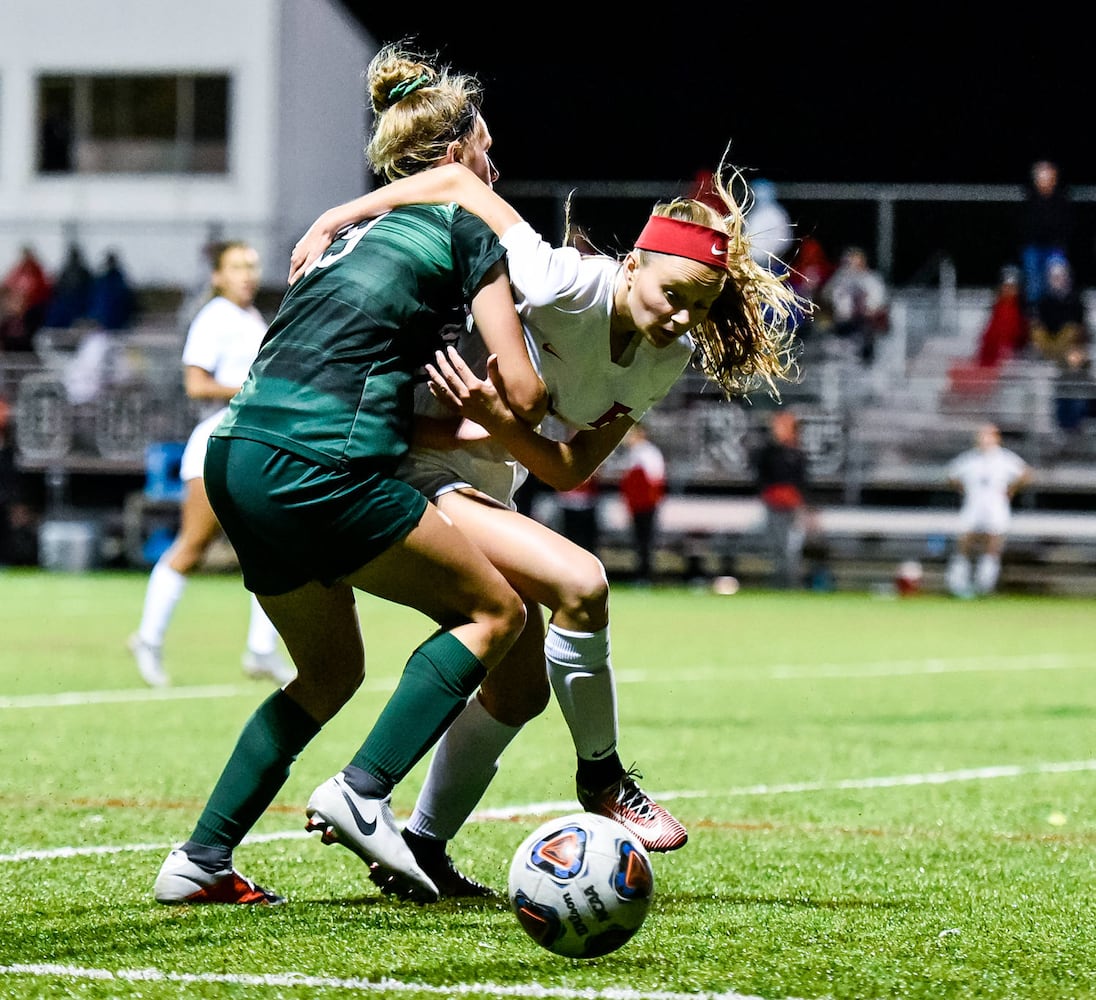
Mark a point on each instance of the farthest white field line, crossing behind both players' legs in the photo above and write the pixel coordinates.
(890, 668)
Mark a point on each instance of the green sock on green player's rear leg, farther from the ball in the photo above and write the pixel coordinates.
(258, 768)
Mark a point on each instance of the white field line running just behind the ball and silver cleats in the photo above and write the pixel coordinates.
(934, 778)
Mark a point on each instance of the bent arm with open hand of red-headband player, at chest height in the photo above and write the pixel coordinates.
(562, 465)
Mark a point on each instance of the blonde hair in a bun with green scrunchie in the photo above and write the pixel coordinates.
(418, 110)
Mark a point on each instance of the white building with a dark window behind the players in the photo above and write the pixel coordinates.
(151, 127)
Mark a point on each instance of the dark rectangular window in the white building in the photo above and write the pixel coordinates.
(133, 124)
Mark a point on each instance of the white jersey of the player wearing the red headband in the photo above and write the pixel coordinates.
(565, 301)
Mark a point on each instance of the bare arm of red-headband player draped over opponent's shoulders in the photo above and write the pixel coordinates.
(450, 183)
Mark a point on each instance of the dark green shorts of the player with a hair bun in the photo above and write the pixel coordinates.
(292, 521)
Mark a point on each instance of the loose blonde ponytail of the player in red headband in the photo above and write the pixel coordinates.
(748, 339)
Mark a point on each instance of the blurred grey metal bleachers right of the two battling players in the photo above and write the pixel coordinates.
(880, 440)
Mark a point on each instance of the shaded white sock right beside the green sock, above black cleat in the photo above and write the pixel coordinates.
(465, 760)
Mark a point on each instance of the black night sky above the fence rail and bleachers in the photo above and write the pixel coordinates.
(800, 97)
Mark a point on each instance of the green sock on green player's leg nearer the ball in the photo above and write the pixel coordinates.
(435, 687)
